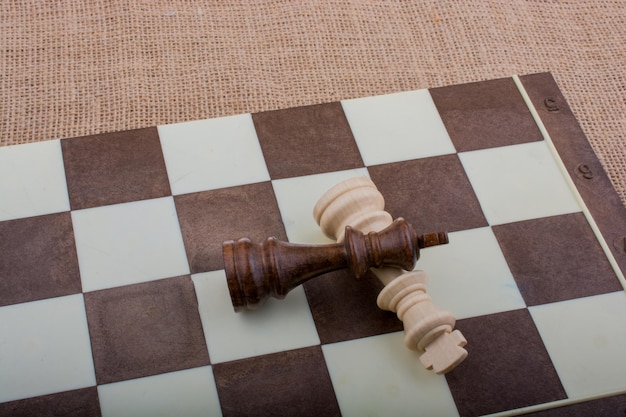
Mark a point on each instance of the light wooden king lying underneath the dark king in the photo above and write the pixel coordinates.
(428, 330)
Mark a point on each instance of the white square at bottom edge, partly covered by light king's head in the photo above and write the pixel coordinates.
(379, 376)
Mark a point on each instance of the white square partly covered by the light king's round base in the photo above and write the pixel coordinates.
(296, 198)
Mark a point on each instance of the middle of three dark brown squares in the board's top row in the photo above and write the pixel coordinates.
(306, 140)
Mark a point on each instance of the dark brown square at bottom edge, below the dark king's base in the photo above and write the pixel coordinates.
(291, 383)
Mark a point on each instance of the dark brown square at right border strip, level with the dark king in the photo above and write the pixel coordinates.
(556, 258)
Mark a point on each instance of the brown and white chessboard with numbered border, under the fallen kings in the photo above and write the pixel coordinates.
(114, 301)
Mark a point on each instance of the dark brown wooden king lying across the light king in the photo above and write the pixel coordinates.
(273, 268)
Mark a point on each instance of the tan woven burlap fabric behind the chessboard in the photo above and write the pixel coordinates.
(71, 68)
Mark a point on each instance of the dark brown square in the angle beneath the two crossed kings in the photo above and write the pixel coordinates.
(339, 294)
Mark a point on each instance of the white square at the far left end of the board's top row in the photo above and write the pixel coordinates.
(32, 180)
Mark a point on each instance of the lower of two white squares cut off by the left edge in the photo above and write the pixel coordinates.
(44, 348)
